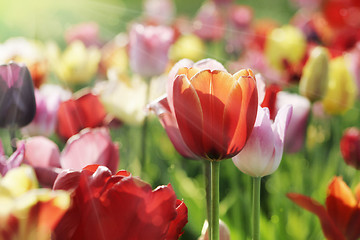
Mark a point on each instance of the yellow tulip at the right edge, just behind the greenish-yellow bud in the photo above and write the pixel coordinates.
(341, 91)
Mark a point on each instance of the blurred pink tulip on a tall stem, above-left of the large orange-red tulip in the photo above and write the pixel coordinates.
(148, 50)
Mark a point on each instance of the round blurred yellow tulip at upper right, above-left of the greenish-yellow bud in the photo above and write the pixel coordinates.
(286, 43)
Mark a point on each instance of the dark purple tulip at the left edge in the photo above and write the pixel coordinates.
(17, 99)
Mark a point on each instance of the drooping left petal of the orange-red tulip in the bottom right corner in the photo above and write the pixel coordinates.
(330, 229)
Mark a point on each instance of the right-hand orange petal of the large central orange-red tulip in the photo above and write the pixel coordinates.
(240, 111)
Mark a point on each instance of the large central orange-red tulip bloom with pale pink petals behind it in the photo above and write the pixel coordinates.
(208, 110)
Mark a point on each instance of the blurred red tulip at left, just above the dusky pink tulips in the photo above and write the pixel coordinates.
(77, 114)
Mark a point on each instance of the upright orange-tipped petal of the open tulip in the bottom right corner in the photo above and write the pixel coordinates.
(340, 202)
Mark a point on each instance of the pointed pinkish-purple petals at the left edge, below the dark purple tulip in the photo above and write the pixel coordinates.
(14, 160)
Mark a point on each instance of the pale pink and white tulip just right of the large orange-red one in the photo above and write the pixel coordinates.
(263, 151)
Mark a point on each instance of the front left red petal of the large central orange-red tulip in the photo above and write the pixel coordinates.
(188, 113)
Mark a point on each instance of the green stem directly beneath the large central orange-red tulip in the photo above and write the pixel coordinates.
(214, 200)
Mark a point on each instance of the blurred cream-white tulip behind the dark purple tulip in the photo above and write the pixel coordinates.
(28, 52)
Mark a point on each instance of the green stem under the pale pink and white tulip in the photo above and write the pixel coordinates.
(256, 208)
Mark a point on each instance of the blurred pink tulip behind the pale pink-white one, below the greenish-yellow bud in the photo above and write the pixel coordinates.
(295, 135)
